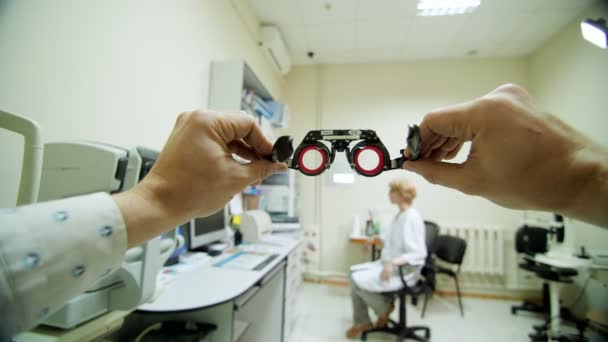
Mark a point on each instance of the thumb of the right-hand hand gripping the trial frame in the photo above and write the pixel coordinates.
(452, 175)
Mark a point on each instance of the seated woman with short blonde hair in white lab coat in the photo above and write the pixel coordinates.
(404, 245)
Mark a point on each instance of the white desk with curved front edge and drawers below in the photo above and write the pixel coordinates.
(245, 305)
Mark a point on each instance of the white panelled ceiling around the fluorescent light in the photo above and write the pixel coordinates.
(368, 31)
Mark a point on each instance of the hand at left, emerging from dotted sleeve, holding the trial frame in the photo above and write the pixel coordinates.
(195, 174)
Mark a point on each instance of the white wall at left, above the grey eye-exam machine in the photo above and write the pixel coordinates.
(113, 71)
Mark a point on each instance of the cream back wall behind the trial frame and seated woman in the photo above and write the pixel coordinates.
(387, 98)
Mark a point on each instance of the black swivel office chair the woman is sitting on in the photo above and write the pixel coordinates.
(400, 328)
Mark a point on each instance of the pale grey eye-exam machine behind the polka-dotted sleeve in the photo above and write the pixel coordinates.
(73, 169)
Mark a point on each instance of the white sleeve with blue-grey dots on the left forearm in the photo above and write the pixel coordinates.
(51, 252)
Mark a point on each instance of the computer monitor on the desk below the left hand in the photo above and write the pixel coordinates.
(205, 230)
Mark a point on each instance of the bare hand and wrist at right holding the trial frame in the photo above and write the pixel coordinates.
(520, 156)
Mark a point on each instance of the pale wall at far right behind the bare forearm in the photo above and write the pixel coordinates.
(568, 78)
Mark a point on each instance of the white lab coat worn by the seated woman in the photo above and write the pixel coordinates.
(405, 239)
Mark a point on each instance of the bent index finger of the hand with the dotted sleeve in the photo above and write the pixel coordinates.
(243, 126)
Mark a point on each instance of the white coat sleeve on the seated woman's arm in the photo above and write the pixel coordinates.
(414, 240)
